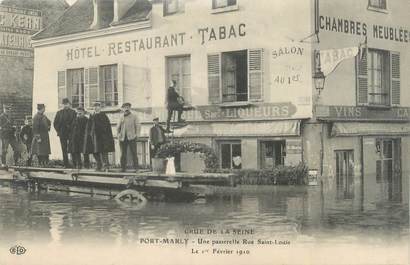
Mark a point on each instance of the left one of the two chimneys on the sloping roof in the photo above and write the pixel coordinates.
(103, 13)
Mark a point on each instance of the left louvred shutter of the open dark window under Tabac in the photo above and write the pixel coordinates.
(214, 78)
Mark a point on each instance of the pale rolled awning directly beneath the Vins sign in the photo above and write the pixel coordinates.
(369, 129)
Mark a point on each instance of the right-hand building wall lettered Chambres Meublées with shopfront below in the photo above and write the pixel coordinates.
(360, 130)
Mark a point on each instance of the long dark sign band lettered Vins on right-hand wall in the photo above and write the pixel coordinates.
(357, 113)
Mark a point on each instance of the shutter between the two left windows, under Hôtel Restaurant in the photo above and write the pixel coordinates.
(91, 86)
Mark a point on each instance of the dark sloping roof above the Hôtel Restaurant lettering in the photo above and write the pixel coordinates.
(79, 17)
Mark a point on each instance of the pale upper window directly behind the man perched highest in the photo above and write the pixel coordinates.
(179, 69)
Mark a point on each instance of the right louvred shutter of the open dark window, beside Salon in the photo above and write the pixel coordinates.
(255, 74)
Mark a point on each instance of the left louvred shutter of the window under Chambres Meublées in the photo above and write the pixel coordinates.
(362, 81)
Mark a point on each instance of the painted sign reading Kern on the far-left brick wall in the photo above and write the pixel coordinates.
(16, 27)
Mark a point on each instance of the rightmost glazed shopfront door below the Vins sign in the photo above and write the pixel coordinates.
(388, 168)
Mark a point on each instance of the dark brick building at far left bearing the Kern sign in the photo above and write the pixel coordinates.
(19, 19)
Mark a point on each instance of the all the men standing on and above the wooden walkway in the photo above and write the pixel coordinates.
(81, 136)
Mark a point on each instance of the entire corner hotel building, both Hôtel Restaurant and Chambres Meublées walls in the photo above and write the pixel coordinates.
(246, 67)
